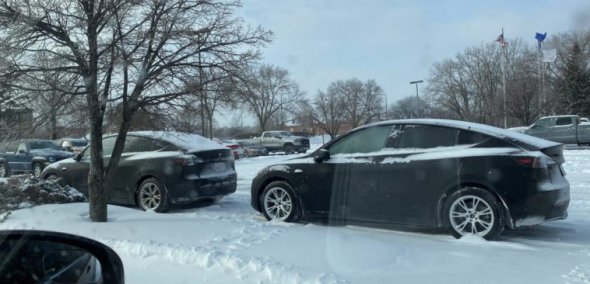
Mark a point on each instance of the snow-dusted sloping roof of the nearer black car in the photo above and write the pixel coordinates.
(520, 139)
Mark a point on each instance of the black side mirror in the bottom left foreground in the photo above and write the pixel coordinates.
(49, 257)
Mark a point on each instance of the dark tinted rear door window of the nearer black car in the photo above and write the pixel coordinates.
(426, 136)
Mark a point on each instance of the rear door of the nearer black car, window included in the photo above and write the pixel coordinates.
(417, 167)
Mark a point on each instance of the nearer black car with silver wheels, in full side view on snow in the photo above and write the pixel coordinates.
(470, 178)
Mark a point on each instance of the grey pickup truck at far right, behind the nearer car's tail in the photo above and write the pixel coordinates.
(567, 129)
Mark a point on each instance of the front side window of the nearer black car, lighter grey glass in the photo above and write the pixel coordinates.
(362, 141)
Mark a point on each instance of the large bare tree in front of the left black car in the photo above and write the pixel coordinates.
(126, 51)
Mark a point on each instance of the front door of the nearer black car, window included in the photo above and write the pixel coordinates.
(347, 184)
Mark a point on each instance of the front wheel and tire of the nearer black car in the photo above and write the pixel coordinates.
(279, 202)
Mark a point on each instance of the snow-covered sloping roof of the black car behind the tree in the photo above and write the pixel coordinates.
(187, 141)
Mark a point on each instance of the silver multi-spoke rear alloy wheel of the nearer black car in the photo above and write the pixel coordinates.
(471, 215)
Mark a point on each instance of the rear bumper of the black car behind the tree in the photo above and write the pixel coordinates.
(188, 191)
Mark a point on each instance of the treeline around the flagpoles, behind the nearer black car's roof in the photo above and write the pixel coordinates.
(469, 86)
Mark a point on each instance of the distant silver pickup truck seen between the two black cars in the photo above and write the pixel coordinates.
(275, 141)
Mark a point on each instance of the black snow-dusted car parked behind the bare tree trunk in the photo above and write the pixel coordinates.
(157, 170)
